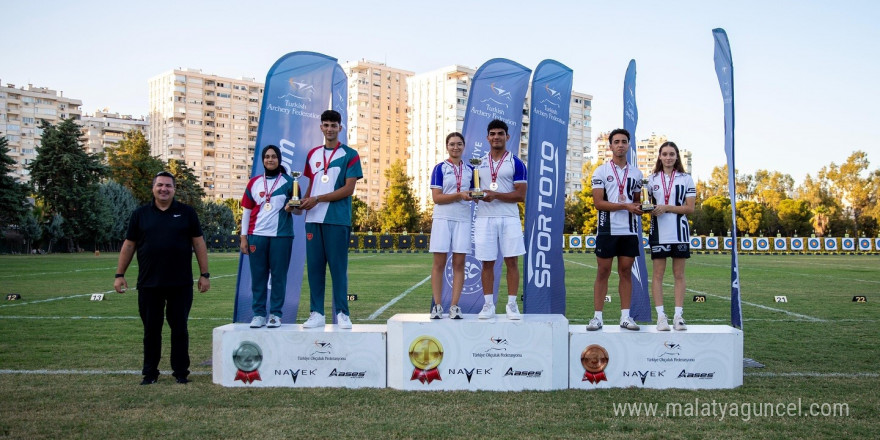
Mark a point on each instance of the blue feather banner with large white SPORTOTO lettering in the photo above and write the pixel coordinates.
(544, 278)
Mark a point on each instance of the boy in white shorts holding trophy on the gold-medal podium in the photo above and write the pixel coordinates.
(497, 220)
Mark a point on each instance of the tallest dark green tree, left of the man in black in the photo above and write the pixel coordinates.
(66, 178)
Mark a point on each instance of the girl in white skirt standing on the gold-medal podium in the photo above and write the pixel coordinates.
(451, 227)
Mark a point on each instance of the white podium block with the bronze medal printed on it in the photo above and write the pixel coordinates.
(703, 356)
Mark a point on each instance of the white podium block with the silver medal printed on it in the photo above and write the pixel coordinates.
(290, 356)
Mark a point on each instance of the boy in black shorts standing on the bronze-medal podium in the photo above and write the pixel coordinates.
(617, 189)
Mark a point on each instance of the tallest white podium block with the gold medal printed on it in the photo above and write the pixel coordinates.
(474, 354)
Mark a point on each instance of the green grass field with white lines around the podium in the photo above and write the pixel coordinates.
(69, 367)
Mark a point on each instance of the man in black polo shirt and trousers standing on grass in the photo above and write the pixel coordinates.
(164, 233)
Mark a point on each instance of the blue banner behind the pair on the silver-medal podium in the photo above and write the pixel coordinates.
(297, 90)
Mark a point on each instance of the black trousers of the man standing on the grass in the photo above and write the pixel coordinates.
(155, 304)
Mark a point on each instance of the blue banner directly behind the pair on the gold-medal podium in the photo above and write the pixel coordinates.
(498, 91)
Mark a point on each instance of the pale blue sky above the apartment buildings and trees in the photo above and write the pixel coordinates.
(805, 71)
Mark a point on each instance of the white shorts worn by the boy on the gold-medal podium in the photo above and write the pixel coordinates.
(490, 233)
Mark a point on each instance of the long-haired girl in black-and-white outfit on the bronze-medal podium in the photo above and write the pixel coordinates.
(673, 193)
